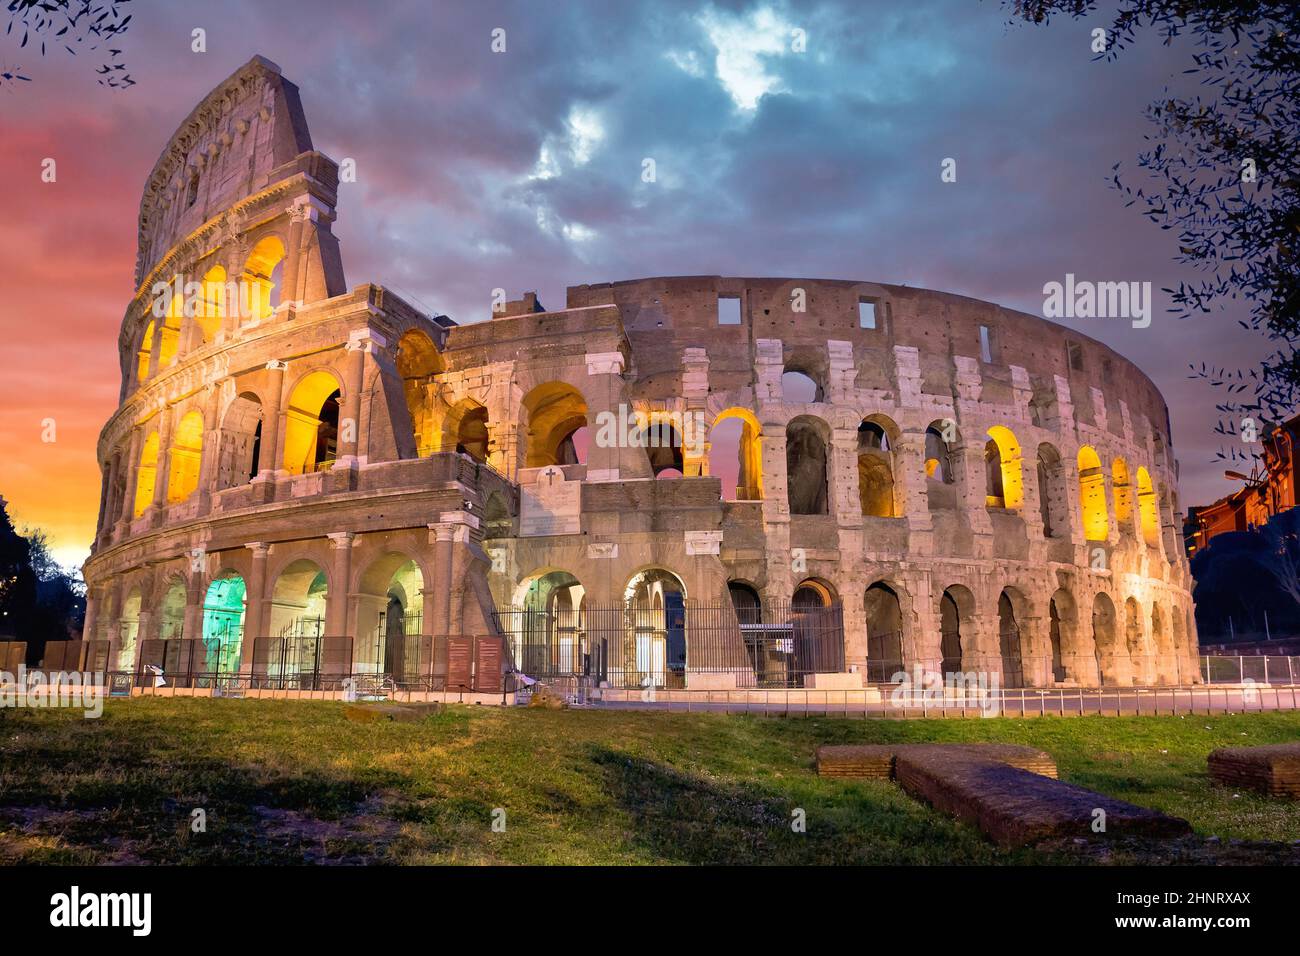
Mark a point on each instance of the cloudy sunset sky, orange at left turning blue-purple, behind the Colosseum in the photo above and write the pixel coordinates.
(523, 171)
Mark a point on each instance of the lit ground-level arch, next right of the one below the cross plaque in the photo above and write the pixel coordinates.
(656, 604)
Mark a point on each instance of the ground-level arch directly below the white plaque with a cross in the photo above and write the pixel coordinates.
(548, 628)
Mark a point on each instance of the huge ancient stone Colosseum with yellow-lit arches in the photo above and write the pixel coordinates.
(692, 482)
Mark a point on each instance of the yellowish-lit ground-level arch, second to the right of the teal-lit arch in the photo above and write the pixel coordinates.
(389, 605)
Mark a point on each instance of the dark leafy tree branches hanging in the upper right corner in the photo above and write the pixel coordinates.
(1224, 171)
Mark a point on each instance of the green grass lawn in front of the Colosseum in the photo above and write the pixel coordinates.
(297, 782)
